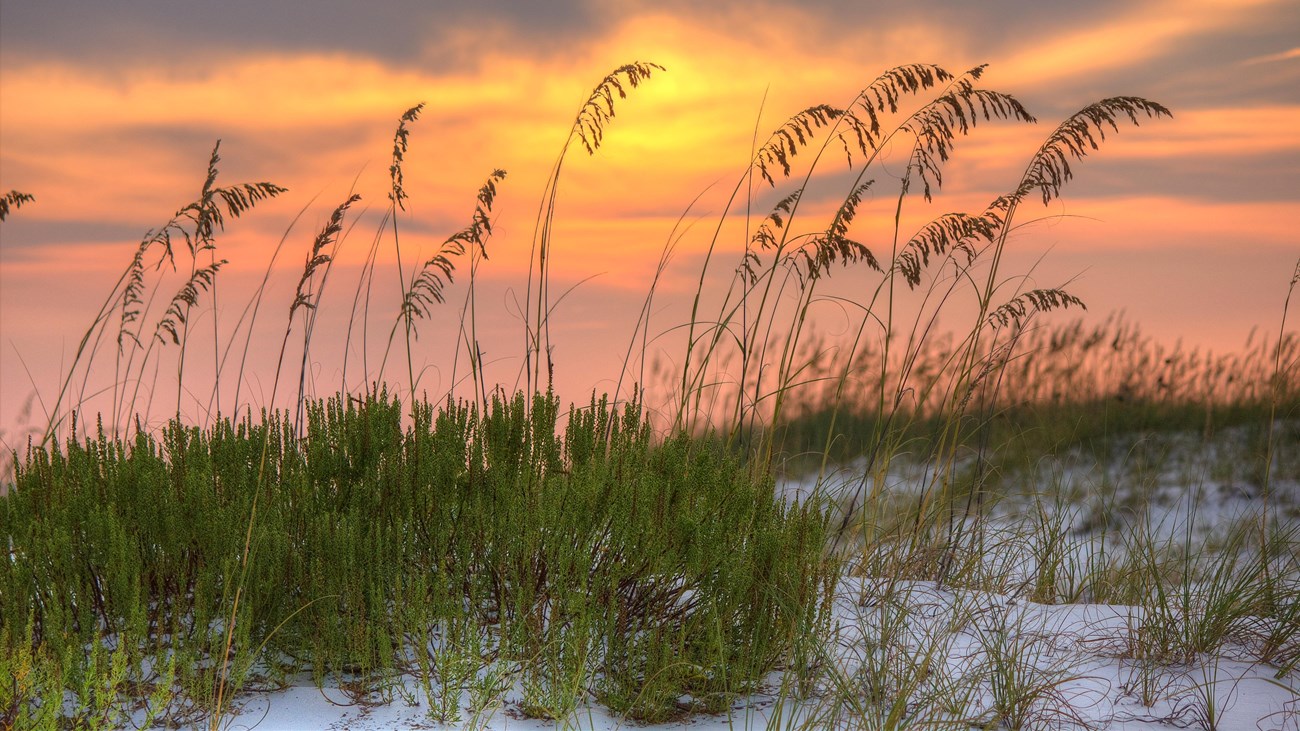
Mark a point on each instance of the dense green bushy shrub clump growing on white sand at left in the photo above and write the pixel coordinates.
(593, 559)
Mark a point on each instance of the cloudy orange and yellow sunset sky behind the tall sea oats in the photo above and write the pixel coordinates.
(109, 113)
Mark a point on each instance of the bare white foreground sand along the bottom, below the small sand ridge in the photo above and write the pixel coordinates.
(1071, 652)
